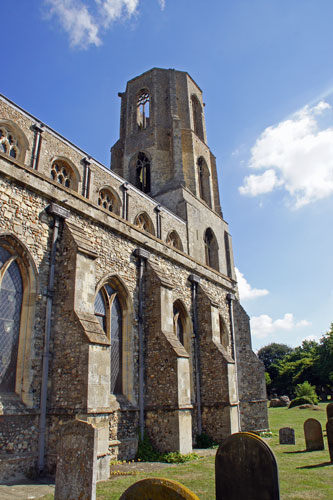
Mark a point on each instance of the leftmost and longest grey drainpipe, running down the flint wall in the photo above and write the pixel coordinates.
(59, 213)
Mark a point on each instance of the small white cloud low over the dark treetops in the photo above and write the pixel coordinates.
(262, 326)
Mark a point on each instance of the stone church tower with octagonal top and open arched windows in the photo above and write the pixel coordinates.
(163, 151)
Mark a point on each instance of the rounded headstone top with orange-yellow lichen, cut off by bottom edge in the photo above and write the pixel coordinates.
(158, 489)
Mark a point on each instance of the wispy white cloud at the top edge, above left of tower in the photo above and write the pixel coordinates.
(84, 20)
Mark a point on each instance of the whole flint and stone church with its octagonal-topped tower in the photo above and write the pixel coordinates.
(118, 297)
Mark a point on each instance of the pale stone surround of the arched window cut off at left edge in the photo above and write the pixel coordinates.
(16, 255)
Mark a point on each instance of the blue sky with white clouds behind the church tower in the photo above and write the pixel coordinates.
(265, 67)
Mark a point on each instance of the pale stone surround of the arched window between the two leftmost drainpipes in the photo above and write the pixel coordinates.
(113, 291)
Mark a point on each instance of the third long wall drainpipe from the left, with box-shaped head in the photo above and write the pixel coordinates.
(195, 280)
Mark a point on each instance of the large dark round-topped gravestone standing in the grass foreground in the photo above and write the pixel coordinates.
(246, 469)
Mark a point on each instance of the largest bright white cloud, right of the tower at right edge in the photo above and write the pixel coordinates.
(296, 155)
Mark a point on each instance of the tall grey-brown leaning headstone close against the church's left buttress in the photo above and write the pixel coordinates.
(76, 462)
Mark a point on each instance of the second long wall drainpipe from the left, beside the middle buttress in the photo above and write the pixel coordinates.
(142, 256)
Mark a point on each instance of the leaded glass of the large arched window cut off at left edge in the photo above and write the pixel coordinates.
(11, 294)
